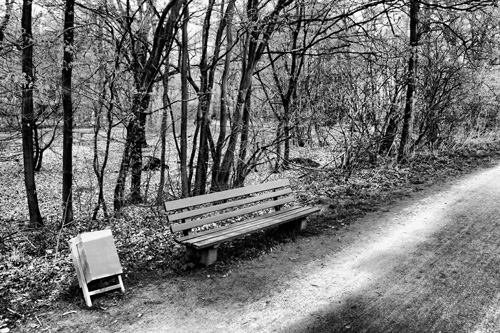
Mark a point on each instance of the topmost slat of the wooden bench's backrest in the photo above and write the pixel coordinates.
(201, 199)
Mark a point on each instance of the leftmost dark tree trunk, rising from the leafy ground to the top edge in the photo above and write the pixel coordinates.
(28, 117)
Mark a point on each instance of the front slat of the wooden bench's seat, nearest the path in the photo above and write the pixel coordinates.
(249, 228)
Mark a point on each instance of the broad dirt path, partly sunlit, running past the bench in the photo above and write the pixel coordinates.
(429, 264)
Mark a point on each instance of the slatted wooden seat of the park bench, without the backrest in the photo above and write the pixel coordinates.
(241, 229)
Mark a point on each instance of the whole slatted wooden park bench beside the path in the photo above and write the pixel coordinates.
(202, 223)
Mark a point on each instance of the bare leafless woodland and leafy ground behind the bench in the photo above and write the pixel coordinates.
(110, 108)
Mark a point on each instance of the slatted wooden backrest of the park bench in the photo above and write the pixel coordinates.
(191, 212)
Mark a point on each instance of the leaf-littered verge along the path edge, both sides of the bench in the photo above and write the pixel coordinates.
(36, 268)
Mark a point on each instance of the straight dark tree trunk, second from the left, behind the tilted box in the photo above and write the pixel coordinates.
(67, 69)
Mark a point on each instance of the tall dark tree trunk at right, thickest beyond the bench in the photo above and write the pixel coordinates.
(405, 143)
